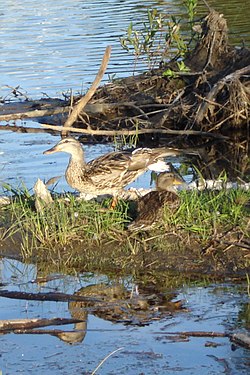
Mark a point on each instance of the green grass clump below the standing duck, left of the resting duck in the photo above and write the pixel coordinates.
(64, 221)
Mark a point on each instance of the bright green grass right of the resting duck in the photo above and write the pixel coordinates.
(206, 213)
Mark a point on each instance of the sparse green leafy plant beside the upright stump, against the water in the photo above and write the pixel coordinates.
(159, 38)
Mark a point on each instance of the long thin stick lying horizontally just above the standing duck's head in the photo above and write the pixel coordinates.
(134, 132)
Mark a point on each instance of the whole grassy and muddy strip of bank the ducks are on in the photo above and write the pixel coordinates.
(208, 234)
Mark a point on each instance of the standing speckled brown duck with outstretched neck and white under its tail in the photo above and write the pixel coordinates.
(109, 173)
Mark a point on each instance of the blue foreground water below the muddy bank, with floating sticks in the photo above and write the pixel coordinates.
(145, 350)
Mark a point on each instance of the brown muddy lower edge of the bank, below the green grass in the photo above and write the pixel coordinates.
(224, 256)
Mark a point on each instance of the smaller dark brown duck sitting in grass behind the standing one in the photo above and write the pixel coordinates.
(150, 207)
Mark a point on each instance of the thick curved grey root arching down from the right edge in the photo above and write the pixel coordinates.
(216, 88)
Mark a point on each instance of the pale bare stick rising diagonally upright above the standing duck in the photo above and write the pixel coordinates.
(83, 101)
